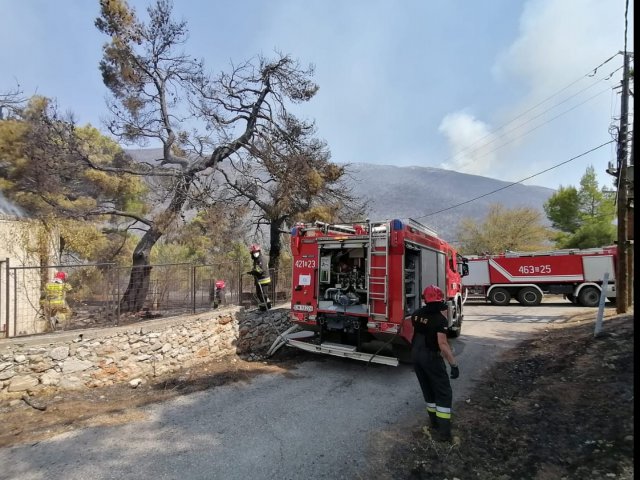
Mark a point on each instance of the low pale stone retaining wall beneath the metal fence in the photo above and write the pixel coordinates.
(102, 357)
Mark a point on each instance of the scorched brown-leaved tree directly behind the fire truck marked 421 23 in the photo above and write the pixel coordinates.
(286, 176)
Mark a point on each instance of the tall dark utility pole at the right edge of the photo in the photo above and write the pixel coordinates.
(622, 277)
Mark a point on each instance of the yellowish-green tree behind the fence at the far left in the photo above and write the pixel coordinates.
(62, 175)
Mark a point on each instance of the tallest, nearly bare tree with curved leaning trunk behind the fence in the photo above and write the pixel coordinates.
(157, 89)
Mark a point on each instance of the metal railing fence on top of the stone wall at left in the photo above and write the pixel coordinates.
(97, 290)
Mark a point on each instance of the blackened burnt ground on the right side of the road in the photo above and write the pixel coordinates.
(559, 406)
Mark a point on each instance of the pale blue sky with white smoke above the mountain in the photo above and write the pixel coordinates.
(504, 88)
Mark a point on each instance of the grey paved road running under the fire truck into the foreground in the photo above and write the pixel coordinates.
(326, 419)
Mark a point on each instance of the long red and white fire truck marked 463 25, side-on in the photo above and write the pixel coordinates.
(576, 274)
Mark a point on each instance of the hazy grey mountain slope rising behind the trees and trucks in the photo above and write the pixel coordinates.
(415, 192)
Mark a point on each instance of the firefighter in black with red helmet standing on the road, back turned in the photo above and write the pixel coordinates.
(430, 348)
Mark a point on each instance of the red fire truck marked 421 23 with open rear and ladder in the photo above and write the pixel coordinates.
(355, 286)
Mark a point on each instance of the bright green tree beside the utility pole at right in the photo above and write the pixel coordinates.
(583, 217)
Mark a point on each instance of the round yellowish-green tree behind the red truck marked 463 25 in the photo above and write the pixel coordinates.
(517, 229)
